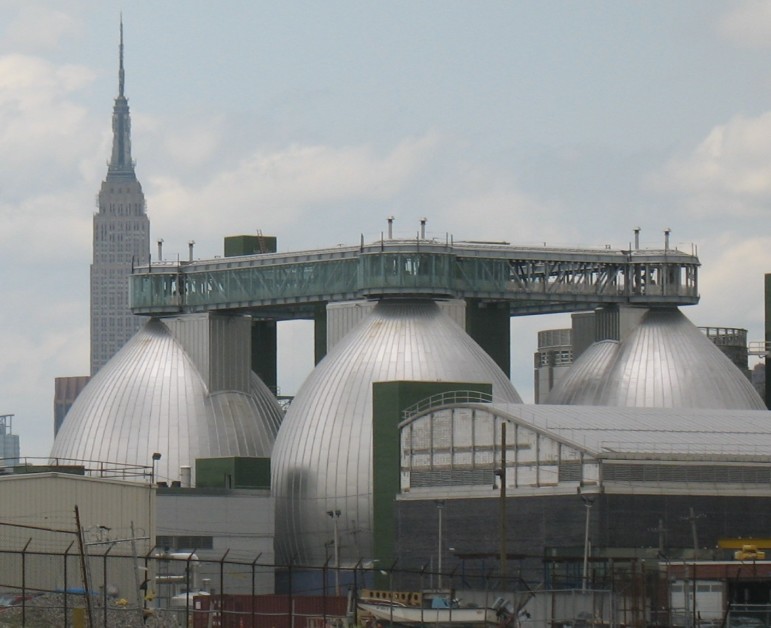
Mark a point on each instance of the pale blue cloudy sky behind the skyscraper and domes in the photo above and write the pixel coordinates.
(529, 121)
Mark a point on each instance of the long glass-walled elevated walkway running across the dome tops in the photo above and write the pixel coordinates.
(529, 279)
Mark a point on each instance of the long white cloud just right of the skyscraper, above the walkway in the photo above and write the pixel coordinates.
(283, 186)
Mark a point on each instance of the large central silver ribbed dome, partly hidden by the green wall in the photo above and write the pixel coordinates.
(322, 460)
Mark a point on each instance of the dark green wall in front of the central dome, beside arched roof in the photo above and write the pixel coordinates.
(389, 399)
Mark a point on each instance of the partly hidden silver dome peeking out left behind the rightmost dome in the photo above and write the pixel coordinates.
(585, 381)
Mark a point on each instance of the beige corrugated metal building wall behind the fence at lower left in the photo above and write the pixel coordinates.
(46, 504)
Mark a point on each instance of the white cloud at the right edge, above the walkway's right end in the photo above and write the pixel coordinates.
(728, 172)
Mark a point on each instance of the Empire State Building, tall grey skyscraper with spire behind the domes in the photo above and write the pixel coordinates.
(121, 237)
